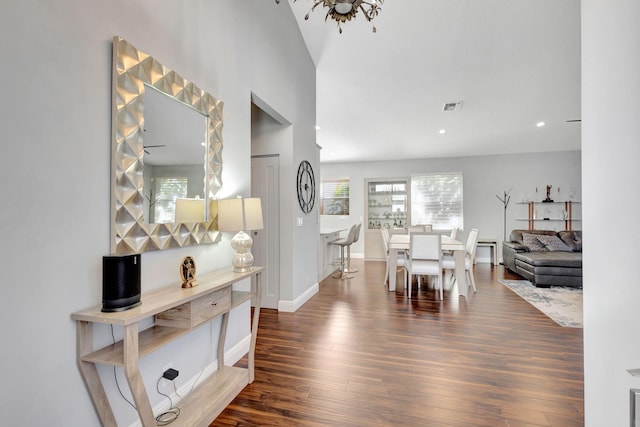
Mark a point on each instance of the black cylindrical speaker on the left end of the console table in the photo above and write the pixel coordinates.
(120, 282)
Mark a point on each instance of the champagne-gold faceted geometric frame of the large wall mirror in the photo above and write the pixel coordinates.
(132, 70)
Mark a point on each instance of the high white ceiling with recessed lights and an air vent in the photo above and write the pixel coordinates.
(513, 63)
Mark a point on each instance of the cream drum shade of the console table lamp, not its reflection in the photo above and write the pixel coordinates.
(240, 214)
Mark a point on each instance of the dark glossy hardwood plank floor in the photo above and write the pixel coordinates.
(358, 355)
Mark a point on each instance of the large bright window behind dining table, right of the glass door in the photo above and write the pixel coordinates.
(436, 198)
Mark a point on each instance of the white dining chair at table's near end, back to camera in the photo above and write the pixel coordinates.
(425, 259)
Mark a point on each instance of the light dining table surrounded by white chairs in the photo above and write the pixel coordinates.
(400, 243)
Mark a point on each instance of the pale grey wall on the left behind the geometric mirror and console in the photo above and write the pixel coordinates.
(55, 121)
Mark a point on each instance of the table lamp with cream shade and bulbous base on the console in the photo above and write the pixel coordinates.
(240, 215)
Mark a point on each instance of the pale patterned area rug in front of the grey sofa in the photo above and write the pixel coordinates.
(563, 305)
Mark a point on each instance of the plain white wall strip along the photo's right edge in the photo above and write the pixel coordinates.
(610, 153)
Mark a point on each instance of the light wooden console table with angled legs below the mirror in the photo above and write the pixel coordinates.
(177, 312)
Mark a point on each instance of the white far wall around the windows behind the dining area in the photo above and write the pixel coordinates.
(484, 178)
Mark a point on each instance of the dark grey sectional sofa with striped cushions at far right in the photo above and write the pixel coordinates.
(544, 257)
